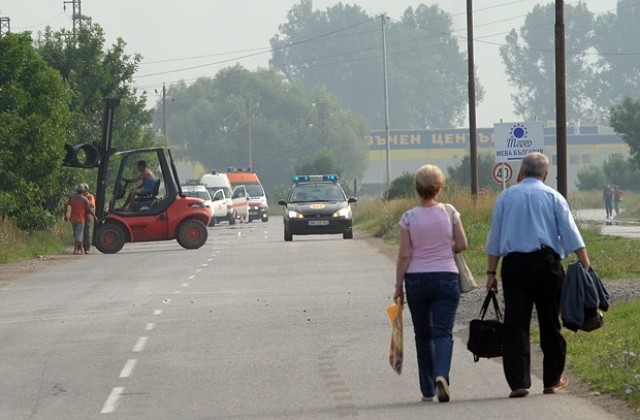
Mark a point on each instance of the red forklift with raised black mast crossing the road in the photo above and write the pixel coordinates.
(163, 214)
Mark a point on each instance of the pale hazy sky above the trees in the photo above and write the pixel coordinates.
(187, 39)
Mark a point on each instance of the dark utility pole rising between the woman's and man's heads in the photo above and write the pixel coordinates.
(473, 147)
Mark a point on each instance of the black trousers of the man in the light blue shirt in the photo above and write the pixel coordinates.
(528, 279)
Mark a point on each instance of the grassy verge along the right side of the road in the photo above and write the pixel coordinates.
(607, 359)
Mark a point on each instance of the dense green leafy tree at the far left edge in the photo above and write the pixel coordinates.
(33, 117)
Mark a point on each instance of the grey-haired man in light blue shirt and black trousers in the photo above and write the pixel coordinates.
(532, 229)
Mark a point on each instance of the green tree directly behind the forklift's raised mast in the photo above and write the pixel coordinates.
(93, 73)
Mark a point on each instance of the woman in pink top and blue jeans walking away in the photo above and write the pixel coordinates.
(428, 239)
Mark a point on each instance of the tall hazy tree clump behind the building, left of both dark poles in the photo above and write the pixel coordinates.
(341, 48)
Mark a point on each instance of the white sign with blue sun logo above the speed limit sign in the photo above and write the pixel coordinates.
(516, 140)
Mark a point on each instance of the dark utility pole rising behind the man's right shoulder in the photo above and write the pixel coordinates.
(561, 100)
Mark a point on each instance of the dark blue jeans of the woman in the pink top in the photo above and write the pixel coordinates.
(433, 301)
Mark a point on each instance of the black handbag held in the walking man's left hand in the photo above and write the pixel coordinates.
(485, 335)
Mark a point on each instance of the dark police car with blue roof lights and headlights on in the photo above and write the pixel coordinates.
(317, 204)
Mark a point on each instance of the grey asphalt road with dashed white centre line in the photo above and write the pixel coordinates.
(247, 327)
